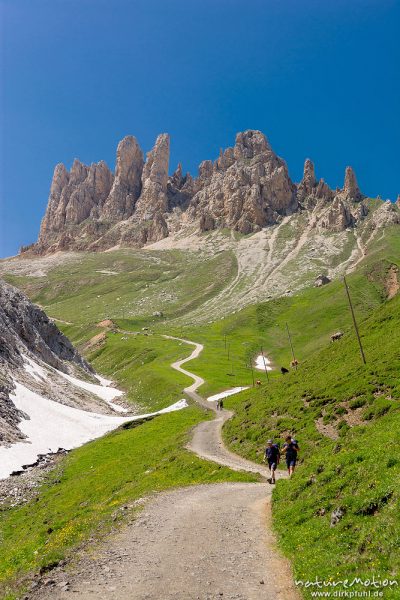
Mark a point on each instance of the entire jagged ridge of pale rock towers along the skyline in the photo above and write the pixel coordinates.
(246, 188)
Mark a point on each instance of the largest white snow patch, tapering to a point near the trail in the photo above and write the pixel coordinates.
(53, 425)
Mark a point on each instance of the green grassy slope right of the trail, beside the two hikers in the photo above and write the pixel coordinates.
(346, 417)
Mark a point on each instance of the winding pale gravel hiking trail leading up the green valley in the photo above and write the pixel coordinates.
(204, 542)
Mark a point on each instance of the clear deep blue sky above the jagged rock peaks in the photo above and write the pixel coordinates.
(319, 77)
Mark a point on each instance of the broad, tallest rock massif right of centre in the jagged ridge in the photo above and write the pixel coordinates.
(246, 188)
